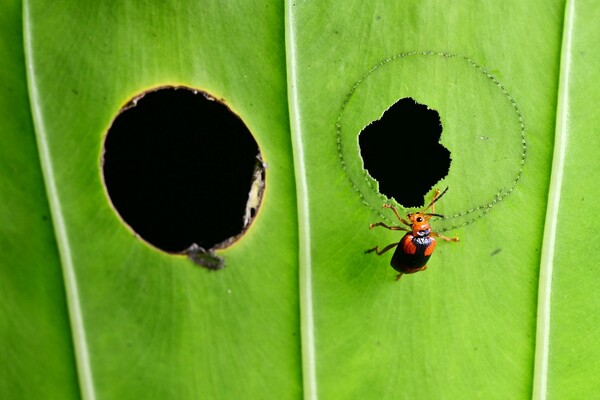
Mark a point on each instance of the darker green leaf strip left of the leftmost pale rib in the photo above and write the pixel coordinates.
(36, 351)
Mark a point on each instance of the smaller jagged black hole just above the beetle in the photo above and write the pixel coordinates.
(402, 152)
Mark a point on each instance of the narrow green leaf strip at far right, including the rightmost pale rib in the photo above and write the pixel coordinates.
(567, 349)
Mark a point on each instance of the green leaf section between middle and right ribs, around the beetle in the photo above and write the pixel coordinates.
(465, 328)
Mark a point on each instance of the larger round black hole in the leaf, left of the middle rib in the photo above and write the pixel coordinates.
(178, 168)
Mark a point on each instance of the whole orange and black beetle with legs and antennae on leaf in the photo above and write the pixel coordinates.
(417, 245)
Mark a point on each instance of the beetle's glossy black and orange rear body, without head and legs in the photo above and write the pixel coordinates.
(412, 253)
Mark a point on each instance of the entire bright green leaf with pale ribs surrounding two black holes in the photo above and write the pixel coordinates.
(300, 311)
